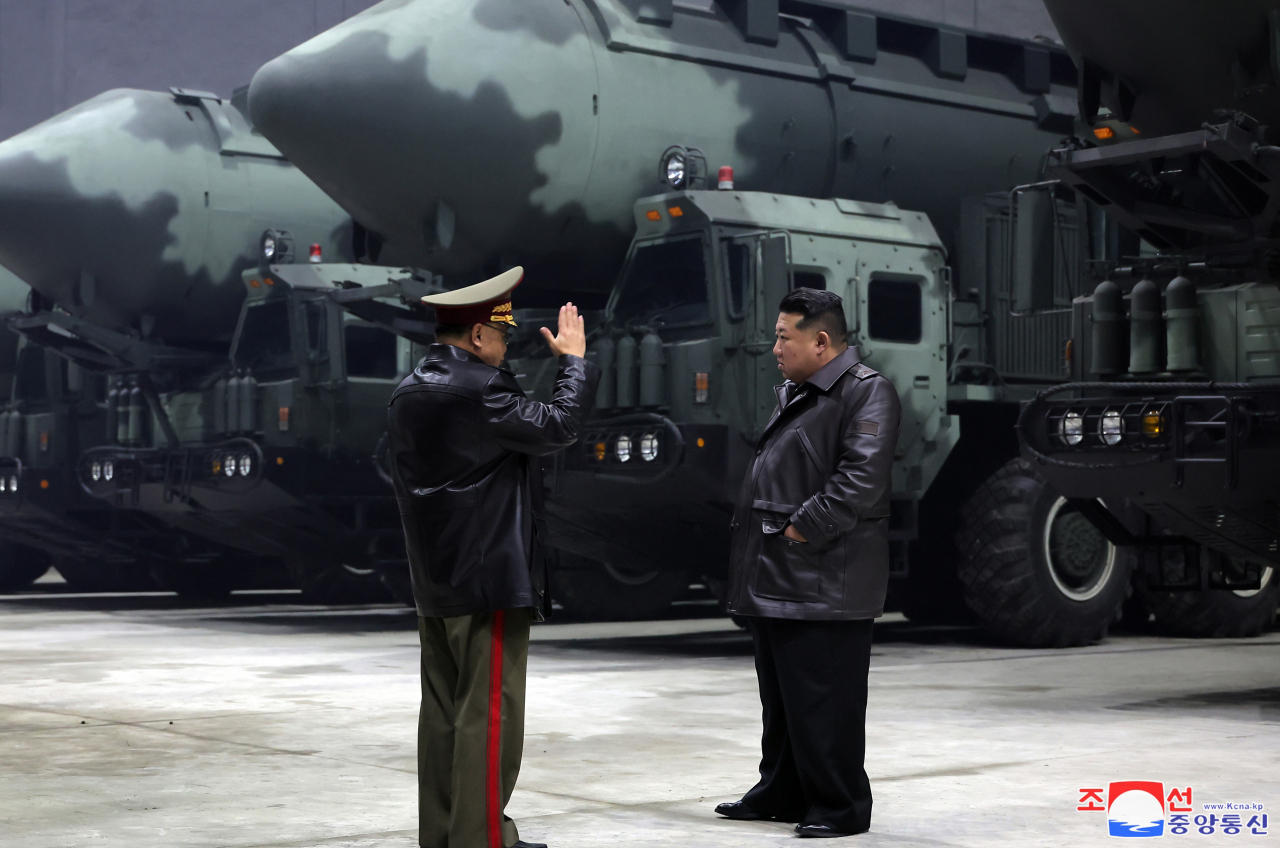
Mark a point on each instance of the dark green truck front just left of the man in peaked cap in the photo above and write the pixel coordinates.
(277, 455)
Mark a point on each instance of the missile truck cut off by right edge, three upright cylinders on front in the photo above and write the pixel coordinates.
(1169, 437)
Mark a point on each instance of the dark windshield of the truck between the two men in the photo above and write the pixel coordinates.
(665, 284)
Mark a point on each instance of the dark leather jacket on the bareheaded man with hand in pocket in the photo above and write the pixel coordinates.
(824, 464)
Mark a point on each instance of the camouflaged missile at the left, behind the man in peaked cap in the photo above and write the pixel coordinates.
(138, 211)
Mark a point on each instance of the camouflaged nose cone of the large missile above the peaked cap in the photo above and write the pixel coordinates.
(433, 124)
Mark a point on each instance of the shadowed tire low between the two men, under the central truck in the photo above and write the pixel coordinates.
(589, 590)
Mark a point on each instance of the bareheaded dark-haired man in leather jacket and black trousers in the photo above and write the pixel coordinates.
(810, 568)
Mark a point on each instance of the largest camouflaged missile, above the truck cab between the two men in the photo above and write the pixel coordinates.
(479, 134)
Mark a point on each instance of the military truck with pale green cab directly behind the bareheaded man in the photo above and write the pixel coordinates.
(642, 507)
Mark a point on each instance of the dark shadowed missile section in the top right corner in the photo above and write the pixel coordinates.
(1168, 67)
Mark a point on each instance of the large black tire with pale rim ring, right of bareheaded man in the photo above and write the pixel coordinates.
(1035, 572)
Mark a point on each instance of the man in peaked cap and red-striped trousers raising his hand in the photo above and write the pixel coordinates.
(464, 448)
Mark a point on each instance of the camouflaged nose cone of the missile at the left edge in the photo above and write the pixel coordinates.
(100, 195)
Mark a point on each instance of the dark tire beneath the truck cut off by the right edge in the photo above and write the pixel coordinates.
(1214, 614)
